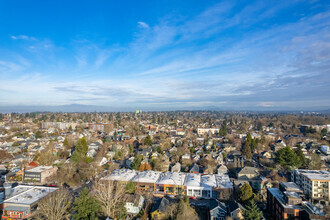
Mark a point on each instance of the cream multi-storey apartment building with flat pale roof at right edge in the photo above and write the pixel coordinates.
(314, 183)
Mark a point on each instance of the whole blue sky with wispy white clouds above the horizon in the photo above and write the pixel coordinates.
(166, 55)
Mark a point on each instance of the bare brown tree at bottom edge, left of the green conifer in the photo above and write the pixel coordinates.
(55, 206)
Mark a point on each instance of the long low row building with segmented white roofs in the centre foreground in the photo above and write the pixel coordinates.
(176, 183)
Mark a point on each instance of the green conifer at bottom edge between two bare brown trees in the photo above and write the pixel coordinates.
(86, 206)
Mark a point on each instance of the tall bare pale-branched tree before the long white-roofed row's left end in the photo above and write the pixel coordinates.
(111, 195)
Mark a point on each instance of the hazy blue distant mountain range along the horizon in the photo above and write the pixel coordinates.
(93, 108)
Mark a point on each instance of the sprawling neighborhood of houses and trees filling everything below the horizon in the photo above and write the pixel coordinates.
(166, 165)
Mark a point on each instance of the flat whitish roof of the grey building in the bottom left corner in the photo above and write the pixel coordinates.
(31, 196)
